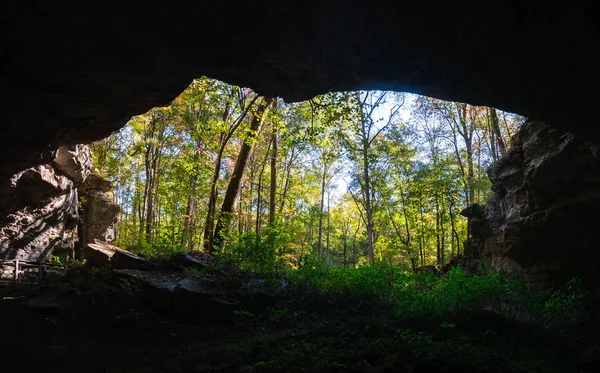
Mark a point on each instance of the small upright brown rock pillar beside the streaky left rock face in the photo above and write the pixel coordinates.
(98, 211)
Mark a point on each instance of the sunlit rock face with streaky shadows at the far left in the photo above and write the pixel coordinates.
(38, 211)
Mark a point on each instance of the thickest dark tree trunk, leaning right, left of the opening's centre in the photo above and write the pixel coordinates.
(236, 178)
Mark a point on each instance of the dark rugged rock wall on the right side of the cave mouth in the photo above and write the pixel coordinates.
(546, 209)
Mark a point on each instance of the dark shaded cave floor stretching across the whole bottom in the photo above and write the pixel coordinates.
(114, 332)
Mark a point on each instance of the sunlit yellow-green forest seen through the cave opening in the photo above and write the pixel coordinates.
(348, 178)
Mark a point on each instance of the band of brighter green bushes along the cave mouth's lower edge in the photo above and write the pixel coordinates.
(456, 294)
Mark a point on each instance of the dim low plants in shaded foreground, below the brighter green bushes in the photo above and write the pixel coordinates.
(334, 335)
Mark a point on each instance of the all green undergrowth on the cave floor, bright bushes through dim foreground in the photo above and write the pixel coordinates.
(333, 318)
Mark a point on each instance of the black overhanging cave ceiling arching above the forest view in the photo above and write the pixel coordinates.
(68, 86)
